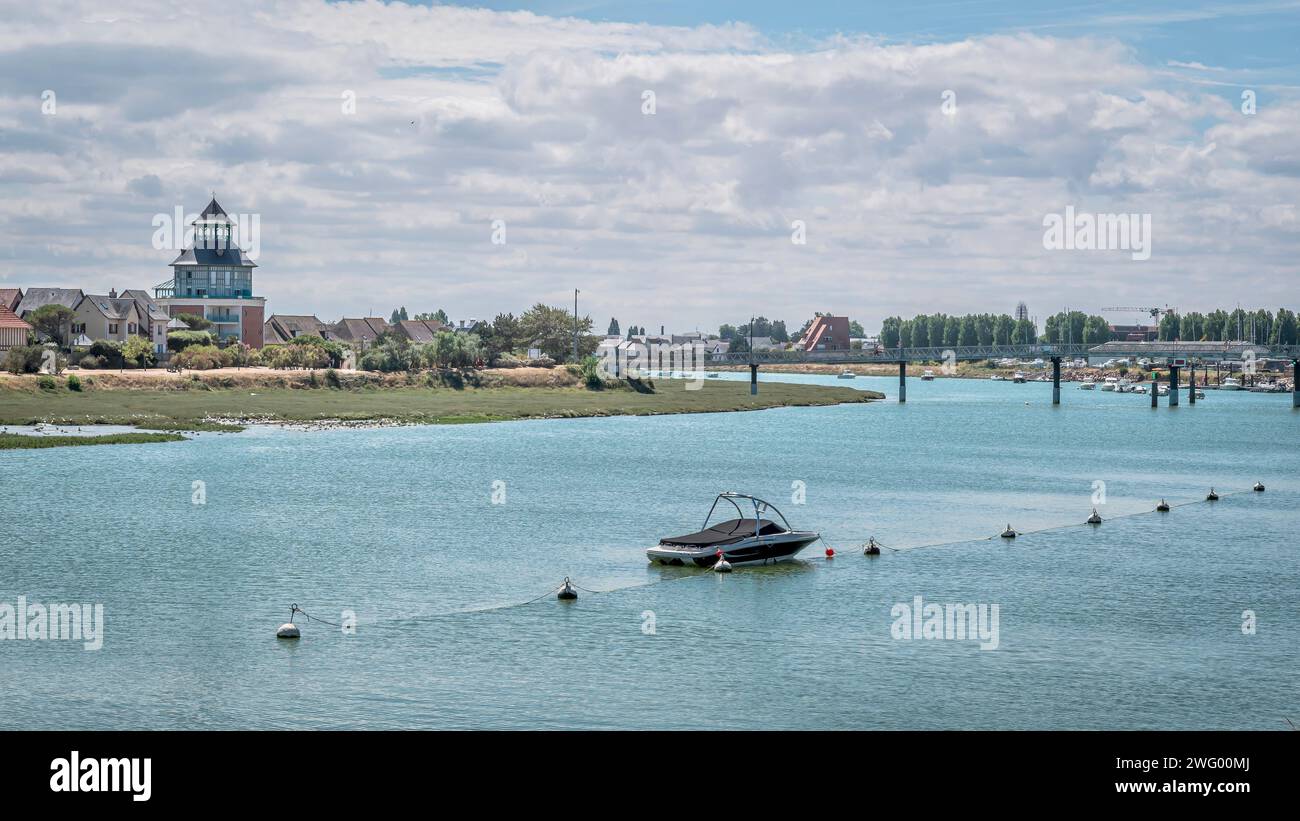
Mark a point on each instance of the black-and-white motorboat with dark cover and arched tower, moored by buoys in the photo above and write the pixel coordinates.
(749, 540)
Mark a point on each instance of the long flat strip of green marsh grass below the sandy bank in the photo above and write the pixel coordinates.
(171, 410)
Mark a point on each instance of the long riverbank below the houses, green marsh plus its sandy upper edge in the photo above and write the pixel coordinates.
(203, 402)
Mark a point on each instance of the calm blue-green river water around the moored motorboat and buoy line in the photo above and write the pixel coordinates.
(1137, 624)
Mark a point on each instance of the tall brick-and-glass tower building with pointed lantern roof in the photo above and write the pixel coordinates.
(214, 280)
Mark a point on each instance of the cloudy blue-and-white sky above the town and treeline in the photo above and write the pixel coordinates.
(682, 164)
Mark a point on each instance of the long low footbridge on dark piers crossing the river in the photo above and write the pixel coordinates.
(1173, 355)
